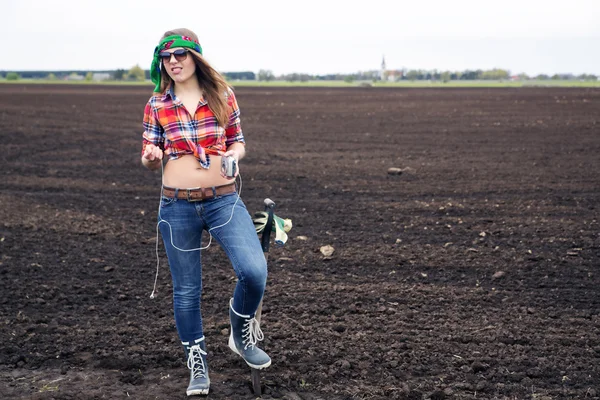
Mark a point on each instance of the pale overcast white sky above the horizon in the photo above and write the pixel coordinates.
(309, 36)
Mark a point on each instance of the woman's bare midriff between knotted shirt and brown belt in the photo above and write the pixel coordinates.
(186, 173)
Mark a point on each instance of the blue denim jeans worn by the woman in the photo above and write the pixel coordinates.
(238, 238)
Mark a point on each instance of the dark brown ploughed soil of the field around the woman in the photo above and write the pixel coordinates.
(473, 274)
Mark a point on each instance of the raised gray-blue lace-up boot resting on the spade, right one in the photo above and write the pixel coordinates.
(245, 333)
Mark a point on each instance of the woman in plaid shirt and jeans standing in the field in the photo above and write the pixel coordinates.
(193, 119)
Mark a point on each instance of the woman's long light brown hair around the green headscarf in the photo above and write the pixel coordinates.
(212, 83)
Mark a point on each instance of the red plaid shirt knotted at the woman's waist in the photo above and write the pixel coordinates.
(169, 125)
